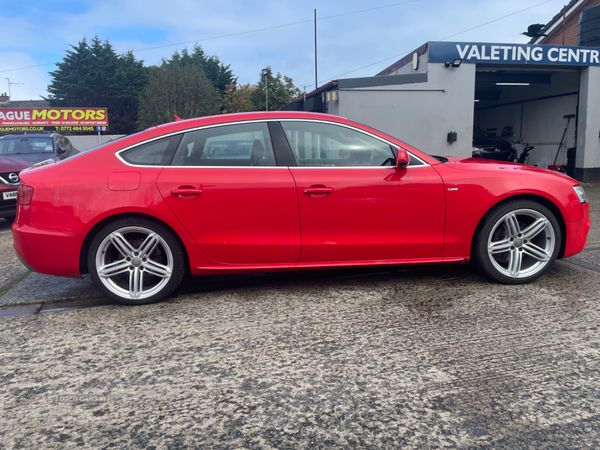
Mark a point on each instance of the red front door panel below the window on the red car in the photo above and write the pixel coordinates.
(376, 213)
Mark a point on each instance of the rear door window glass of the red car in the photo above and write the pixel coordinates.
(246, 144)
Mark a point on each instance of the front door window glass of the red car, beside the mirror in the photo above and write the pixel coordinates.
(329, 145)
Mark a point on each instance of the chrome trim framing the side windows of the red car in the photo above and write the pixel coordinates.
(189, 130)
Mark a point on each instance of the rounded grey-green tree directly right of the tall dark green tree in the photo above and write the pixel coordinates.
(181, 90)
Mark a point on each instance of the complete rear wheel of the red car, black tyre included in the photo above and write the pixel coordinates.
(155, 266)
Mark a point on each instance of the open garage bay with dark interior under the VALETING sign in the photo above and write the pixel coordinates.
(532, 108)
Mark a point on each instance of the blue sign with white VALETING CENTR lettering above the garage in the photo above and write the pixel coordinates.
(486, 53)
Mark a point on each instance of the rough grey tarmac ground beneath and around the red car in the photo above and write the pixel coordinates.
(431, 357)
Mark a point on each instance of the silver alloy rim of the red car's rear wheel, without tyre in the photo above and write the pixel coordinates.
(134, 262)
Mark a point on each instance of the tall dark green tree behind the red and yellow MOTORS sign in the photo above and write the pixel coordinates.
(93, 75)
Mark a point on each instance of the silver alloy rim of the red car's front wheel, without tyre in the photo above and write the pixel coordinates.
(521, 243)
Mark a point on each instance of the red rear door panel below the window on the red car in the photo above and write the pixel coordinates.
(243, 216)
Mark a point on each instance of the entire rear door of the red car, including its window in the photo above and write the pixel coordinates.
(226, 189)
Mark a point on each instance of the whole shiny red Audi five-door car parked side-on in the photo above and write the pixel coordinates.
(284, 191)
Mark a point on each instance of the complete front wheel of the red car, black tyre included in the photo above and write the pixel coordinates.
(509, 250)
